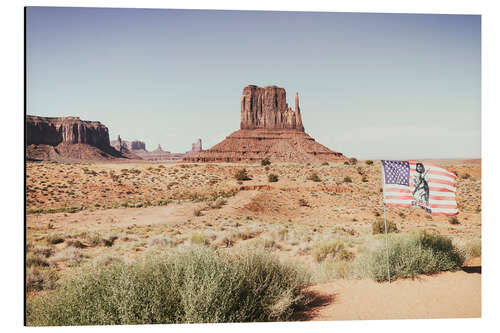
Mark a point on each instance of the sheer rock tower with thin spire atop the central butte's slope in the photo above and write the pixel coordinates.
(266, 108)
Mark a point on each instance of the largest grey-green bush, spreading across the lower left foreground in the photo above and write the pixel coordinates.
(193, 285)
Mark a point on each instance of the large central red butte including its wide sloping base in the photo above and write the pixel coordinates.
(269, 128)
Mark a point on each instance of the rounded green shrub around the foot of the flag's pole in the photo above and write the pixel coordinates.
(410, 255)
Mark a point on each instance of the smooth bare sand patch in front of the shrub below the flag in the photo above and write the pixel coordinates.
(447, 295)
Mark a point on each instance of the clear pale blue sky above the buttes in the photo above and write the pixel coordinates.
(370, 85)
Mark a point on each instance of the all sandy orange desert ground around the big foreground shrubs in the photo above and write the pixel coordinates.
(256, 210)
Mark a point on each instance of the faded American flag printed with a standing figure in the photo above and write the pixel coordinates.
(418, 184)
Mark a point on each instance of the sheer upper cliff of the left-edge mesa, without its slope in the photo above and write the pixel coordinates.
(71, 130)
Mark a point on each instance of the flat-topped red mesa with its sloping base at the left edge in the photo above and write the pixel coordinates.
(67, 138)
